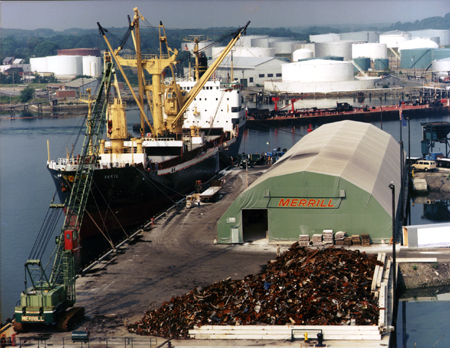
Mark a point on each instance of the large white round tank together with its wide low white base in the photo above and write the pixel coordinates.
(319, 75)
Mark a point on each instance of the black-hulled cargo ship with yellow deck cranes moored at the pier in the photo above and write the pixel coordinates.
(197, 126)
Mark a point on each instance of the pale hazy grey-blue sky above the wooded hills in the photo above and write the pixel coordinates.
(60, 15)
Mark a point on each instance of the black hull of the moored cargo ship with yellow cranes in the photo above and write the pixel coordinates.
(123, 199)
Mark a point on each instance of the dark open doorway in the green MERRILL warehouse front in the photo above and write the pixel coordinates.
(254, 224)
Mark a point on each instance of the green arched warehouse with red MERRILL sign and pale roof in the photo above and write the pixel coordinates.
(335, 178)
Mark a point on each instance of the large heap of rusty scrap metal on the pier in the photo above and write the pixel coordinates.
(302, 287)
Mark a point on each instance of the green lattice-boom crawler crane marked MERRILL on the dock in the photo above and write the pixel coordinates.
(51, 298)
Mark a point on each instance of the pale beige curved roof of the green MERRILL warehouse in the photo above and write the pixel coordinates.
(358, 152)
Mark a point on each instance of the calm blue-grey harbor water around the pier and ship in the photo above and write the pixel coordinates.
(26, 190)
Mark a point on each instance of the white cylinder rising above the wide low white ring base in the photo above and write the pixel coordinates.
(318, 71)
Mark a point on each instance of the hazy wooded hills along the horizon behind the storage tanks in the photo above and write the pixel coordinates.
(46, 42)
